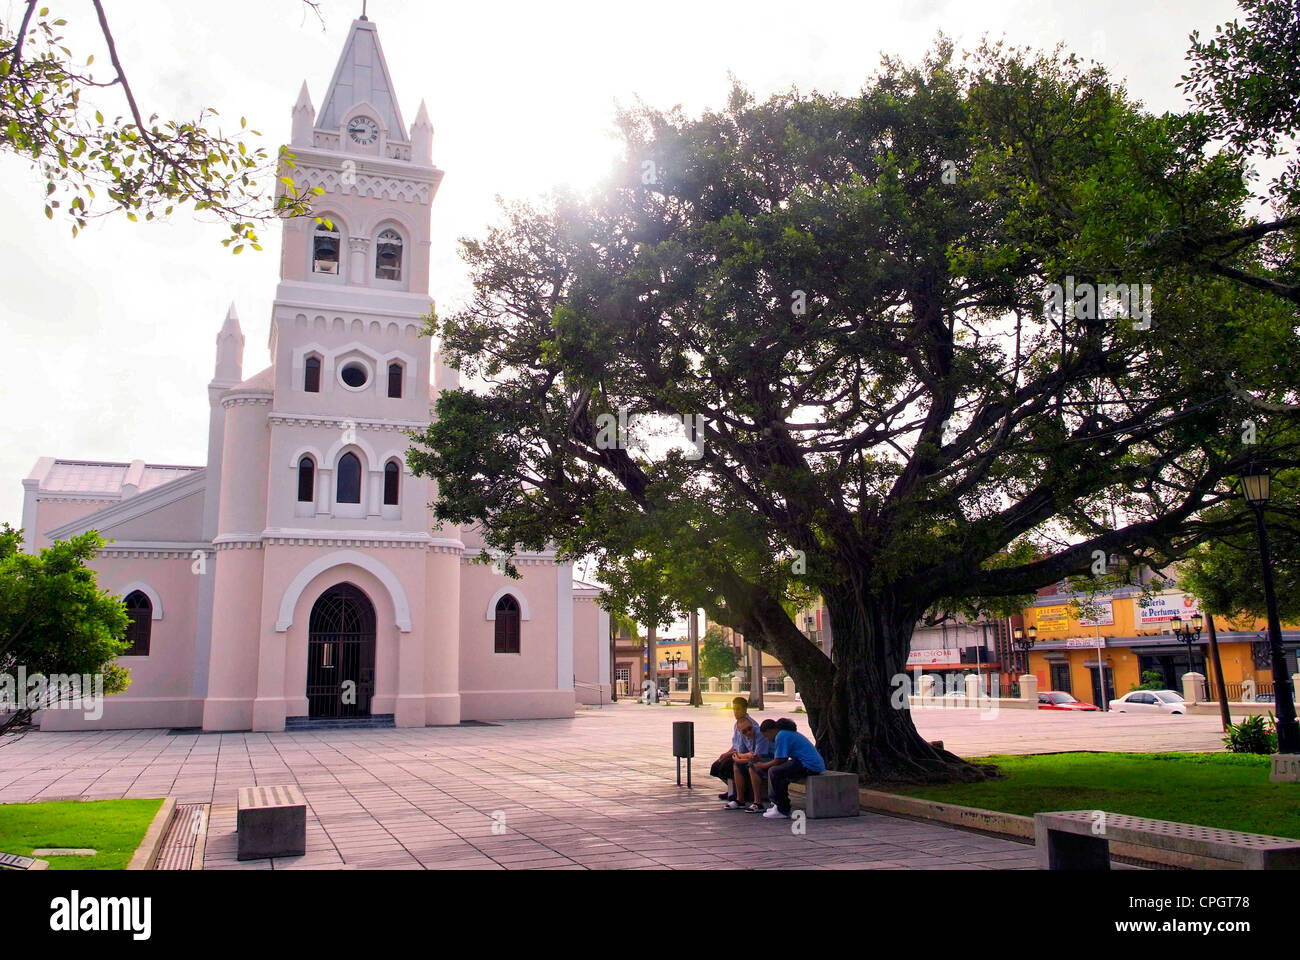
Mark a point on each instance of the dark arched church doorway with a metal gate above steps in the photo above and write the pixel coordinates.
(341, 654)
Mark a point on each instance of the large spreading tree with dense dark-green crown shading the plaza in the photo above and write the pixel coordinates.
(850, 291)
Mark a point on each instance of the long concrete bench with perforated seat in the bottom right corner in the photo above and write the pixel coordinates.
(1081, 841)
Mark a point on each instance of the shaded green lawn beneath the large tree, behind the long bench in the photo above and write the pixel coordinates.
(1225, 790)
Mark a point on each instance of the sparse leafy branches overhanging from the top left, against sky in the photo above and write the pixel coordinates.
(129, 165)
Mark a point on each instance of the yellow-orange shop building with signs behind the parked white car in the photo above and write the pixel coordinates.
(1125, 638)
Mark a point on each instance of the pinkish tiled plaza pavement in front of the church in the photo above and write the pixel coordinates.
(596, 792)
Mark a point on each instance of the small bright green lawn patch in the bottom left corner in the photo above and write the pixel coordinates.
(114, 828)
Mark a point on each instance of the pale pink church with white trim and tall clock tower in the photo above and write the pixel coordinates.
(300, 573)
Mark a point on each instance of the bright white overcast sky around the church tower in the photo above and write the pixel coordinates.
(109, 338)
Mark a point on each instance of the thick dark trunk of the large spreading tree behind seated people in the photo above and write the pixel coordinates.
(863, 721)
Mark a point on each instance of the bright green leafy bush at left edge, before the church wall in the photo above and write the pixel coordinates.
(54, 619)
